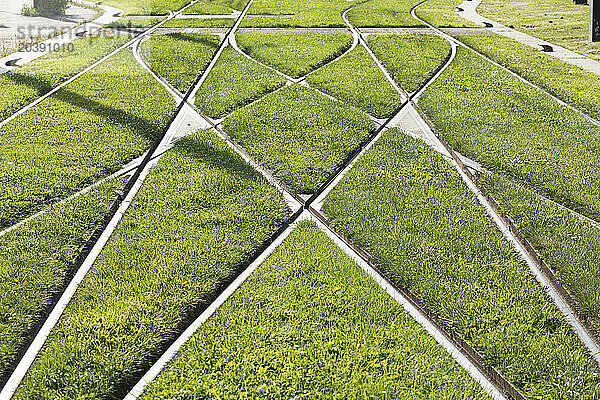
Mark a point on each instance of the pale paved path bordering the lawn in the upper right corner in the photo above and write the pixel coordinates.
(470, 13)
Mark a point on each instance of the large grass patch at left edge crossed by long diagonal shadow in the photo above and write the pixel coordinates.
(84, 132)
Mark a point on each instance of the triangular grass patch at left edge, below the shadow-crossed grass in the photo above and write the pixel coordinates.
(36, 258)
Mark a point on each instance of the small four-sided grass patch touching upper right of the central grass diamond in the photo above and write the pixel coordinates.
(355, 78)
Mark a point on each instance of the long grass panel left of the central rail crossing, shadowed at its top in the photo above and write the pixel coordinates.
(200, 214)
